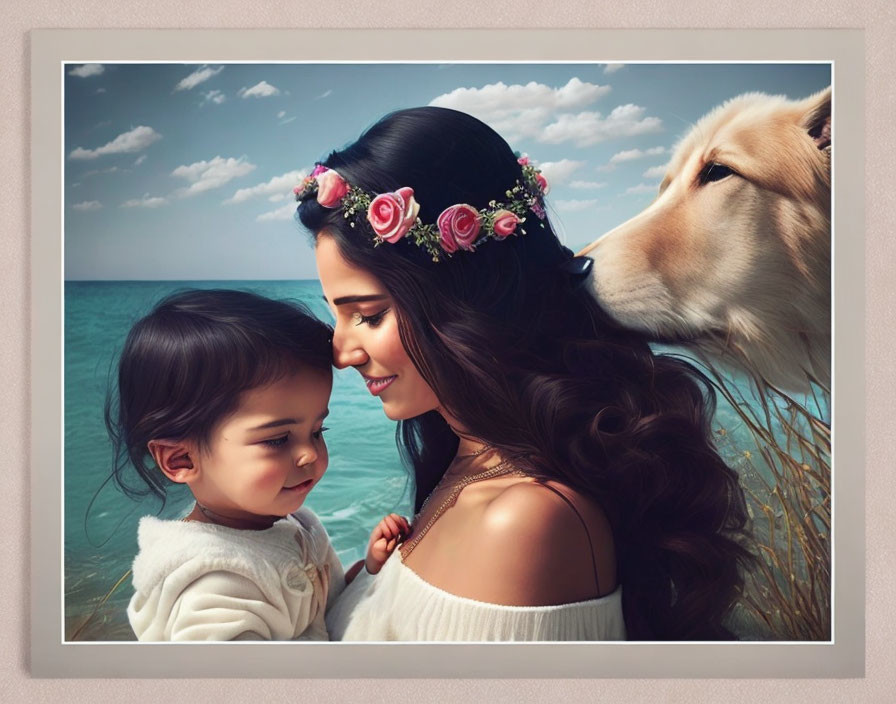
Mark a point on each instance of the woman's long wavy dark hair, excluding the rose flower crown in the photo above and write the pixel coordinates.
(528, 361)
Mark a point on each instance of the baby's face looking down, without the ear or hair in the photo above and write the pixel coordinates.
(265, 458)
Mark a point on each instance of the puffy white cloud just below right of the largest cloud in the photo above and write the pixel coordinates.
(587, 128)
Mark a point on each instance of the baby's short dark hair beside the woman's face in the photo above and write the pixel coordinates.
(185, 364)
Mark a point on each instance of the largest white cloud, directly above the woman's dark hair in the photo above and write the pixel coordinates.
(518, 111)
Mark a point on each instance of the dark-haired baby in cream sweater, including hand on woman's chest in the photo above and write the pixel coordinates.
(227, 392)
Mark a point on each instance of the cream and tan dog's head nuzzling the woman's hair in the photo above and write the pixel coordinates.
(733, 257)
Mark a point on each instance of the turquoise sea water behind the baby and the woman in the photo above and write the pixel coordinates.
(365, 479)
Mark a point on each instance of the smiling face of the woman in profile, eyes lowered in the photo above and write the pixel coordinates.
(366, 335)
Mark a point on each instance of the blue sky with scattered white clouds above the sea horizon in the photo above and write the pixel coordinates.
(185, 171)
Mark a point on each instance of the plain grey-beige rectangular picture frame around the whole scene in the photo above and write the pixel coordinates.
(844, 656)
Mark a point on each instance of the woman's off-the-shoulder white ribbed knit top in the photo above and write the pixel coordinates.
(398, 604)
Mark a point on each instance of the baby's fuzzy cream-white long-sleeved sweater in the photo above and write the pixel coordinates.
(198, 581)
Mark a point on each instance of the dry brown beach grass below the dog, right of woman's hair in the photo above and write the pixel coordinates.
(781, 448)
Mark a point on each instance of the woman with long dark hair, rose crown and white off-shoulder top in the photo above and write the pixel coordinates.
(566, 484)
